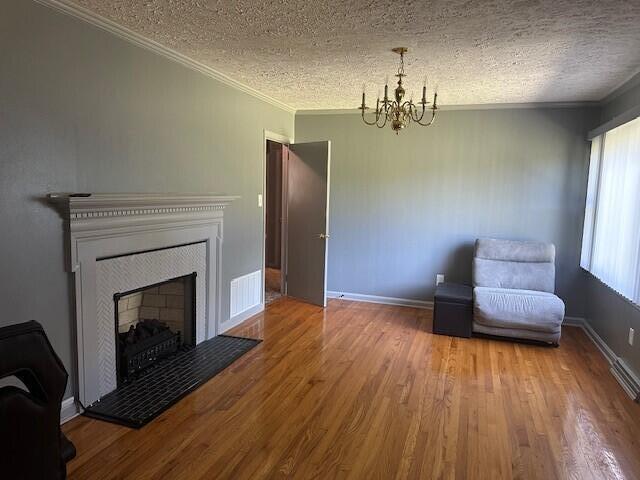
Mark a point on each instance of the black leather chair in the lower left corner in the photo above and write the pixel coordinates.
(32, 446)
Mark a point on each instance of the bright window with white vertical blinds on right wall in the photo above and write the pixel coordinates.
(611, 238)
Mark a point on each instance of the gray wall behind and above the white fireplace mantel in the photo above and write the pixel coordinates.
(81, 110)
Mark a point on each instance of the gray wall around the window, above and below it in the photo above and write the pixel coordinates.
(608, 313)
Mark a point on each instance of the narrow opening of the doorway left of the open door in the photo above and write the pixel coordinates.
(275, 207)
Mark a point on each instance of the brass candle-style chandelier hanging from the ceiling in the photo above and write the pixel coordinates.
(399, 112)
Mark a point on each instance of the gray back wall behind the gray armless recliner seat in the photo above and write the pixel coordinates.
(404, 208)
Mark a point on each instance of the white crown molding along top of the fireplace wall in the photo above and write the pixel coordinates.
(130, 36)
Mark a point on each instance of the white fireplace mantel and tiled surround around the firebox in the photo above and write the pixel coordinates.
(119, 243)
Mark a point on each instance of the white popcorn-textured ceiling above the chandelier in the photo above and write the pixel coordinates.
(317, 54)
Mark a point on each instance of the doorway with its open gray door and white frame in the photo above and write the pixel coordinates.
(296, 219)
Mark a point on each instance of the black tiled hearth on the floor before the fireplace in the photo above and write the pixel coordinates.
(136, 403)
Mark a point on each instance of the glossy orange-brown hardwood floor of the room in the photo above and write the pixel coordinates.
(363, 391)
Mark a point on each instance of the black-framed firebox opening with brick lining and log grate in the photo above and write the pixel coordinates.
(152, 323)
